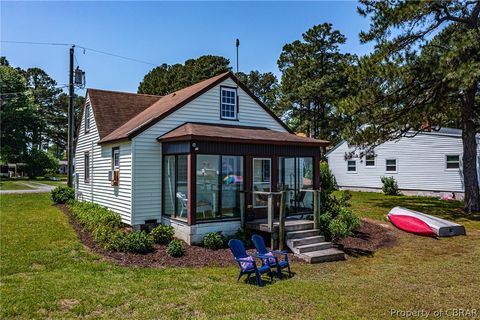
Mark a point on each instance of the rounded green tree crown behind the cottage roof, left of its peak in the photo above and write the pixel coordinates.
(166, 79)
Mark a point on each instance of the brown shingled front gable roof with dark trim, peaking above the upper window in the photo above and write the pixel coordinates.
(160, 108)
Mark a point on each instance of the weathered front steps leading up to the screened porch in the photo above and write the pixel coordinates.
(307, 243)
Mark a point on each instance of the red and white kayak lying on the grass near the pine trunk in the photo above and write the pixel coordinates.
(423, 224)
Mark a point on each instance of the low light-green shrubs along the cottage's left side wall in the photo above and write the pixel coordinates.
(92, 215)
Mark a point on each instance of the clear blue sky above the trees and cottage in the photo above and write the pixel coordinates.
(163, 32)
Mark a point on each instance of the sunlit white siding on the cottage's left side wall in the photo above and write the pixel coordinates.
(99, 188)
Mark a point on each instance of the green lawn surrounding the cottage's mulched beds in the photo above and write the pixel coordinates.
(47, 273)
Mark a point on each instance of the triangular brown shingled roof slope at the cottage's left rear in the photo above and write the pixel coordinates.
(112, 109)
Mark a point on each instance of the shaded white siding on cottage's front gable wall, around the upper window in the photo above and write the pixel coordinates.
(147, 151)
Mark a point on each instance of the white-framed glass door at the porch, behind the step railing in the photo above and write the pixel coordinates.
(261, 180)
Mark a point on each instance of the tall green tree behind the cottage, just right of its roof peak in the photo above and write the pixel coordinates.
(314, 79)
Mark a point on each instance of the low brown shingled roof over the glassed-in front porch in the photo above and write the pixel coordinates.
(238, 134)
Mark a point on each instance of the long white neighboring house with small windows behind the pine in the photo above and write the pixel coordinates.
(427, 164)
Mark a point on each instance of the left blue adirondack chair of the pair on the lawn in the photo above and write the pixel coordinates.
(247, 265)
